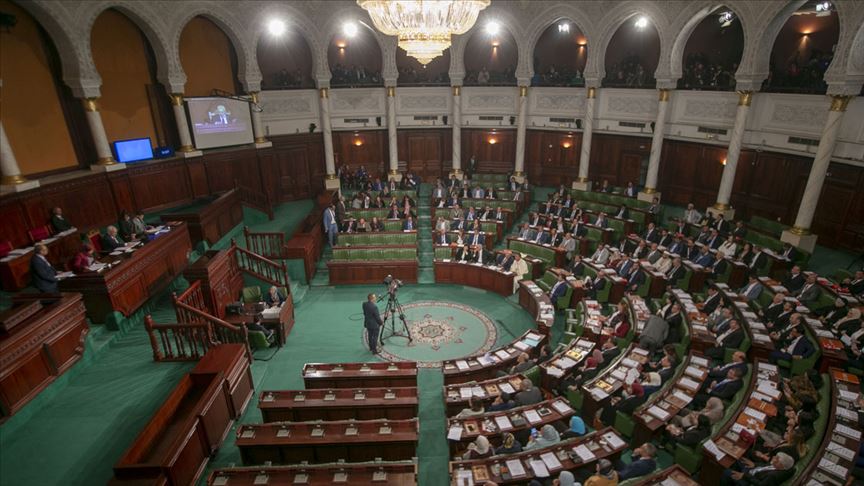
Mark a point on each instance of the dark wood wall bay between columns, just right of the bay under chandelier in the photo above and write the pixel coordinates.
(499, 156)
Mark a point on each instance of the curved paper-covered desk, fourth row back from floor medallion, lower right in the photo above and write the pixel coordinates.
(655, 413)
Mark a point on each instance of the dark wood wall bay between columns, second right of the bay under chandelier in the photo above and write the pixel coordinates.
(552, 158)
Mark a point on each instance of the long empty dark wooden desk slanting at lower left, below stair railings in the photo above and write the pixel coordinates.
(176, 444)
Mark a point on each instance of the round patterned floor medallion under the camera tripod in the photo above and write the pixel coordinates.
(440, 331)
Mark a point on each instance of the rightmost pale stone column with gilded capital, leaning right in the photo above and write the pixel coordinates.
(799, 235)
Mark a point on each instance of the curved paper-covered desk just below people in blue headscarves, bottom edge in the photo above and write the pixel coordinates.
(603, 444)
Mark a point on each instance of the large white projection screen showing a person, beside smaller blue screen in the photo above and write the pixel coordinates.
(219, 122)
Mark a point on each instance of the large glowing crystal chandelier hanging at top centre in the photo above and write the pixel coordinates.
(424, 27)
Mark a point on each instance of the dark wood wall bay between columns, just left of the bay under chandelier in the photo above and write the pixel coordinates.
(368, 148)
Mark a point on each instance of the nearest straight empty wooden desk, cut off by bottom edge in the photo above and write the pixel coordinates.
(391, 473)
